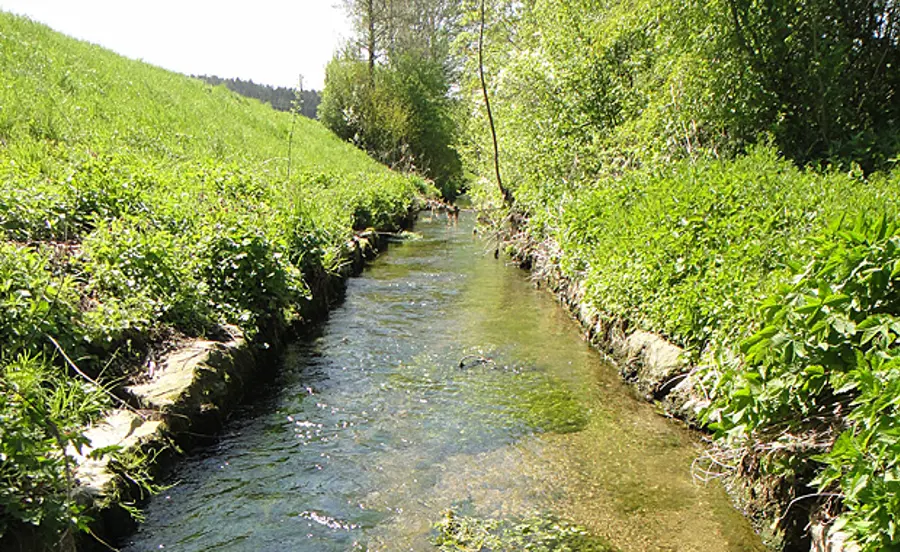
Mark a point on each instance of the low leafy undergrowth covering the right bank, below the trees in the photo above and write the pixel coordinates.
(781, 284)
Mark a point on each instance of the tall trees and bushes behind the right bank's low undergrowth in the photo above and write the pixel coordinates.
(589, 87)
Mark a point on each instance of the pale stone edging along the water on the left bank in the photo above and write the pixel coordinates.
(186, 399)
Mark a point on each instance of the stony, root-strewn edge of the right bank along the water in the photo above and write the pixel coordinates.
(660, 373)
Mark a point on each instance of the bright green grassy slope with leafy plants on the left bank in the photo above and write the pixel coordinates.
(137, 205)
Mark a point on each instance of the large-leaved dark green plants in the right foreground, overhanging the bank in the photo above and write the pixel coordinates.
(826, 366)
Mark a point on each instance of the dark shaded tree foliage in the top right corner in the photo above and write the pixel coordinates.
(832, 68)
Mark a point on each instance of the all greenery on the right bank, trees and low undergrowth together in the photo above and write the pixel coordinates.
(721, 172)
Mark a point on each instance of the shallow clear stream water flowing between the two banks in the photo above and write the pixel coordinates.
(372, 430)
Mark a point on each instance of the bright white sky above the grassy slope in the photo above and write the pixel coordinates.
(269, 41)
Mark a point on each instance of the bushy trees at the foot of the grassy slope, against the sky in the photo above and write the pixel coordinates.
(388, 92)
